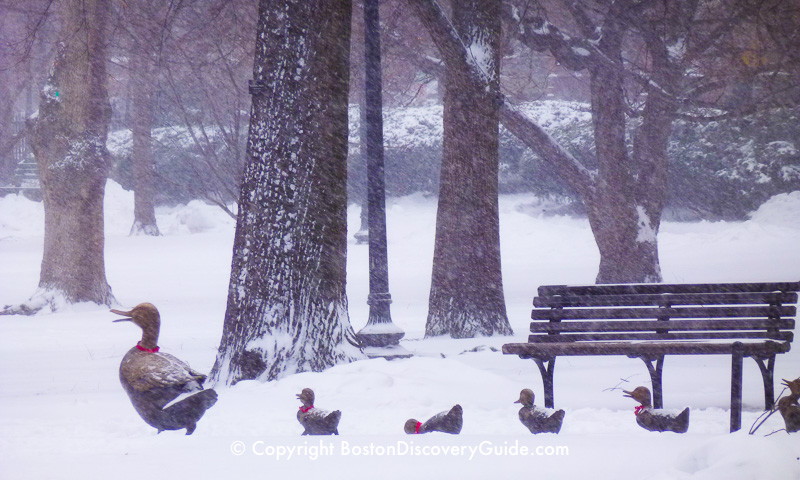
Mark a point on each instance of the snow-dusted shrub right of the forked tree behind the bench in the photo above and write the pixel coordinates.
(725, 169)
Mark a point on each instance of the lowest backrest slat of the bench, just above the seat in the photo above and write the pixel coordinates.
(652, 325)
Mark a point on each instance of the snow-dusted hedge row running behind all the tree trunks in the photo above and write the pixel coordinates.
(718, 170)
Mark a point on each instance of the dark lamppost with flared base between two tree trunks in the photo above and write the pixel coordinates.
(380, 337)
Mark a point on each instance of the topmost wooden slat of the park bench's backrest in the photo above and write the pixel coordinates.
(658, 288)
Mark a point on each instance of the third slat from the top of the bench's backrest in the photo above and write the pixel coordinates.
(680, 312)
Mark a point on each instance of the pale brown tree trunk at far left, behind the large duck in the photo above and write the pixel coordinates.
(69, 143)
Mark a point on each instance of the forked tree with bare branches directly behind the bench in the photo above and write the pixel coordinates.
(625, 197)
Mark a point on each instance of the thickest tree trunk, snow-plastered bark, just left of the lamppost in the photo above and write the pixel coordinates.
(287, 308)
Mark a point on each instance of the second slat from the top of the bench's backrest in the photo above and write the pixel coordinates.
(664, 299)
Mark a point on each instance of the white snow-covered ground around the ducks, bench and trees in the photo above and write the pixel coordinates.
(63, 413)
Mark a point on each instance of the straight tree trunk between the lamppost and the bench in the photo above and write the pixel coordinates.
(466, 297)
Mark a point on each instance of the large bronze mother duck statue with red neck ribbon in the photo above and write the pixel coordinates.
(154, 380)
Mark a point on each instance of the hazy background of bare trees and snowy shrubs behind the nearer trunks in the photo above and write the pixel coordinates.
(205, 50)
